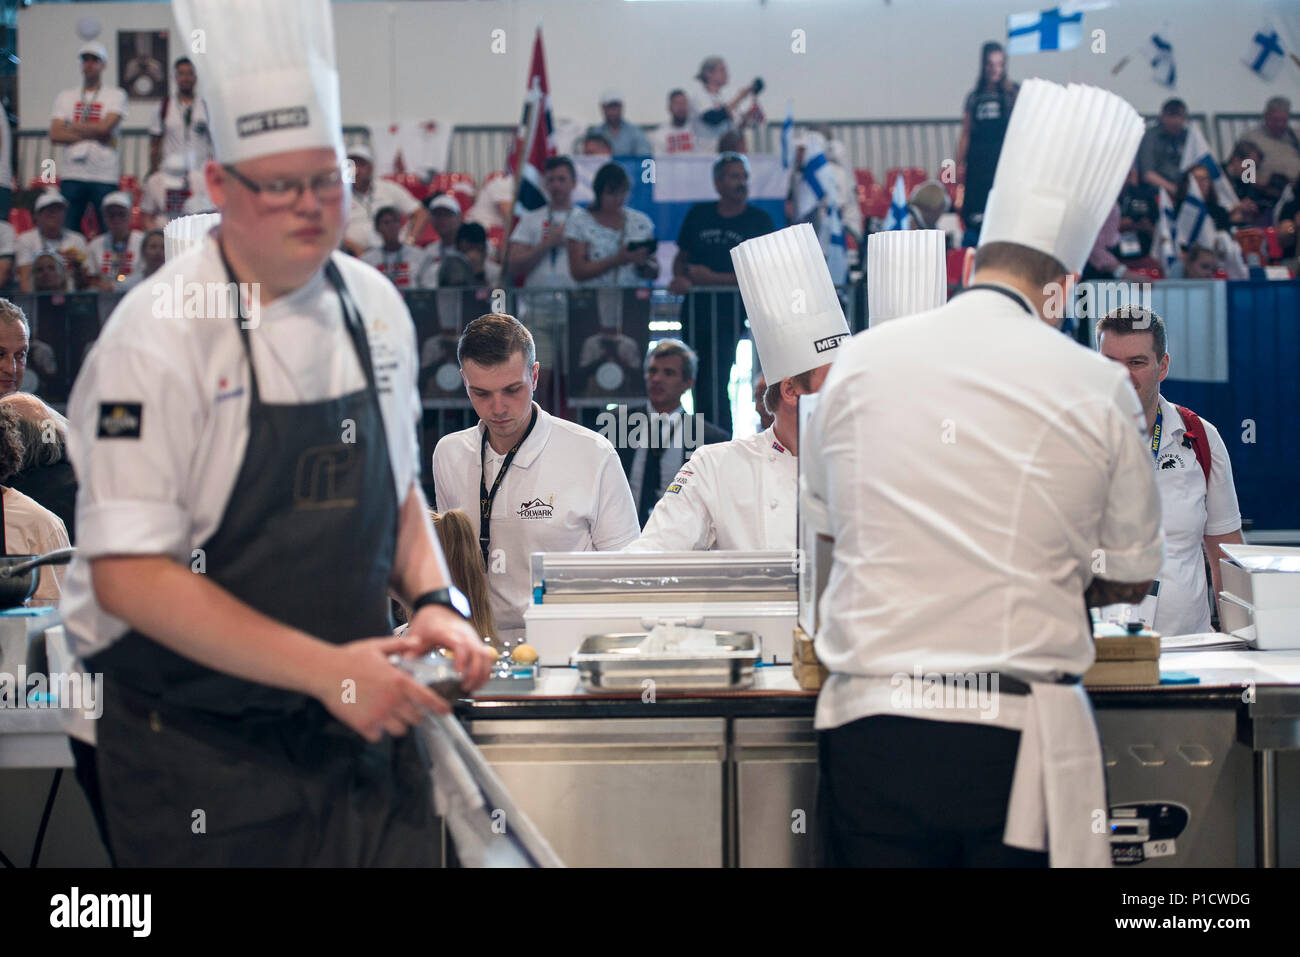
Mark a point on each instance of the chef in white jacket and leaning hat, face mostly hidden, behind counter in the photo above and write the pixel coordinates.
(743, 496)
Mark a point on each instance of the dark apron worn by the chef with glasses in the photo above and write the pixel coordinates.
(200, 768)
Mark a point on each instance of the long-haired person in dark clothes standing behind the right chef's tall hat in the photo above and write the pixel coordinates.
(985, 118)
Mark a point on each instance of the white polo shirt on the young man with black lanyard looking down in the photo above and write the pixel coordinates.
(564, 492)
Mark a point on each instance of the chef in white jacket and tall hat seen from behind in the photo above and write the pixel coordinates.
(981, 473)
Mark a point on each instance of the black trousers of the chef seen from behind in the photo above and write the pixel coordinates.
(909, 793)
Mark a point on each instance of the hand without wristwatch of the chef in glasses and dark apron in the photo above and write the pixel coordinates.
(367, 694)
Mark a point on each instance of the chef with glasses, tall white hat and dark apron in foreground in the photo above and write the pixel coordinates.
(250, 497)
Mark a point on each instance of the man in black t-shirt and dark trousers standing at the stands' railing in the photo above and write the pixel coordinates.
(705, 241)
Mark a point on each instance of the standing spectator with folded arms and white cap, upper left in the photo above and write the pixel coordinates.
(85, 119)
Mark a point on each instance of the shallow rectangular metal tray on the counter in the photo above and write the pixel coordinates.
(612, 662)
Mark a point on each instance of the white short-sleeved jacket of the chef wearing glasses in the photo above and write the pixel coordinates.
(159, 415)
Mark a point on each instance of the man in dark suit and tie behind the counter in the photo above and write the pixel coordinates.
(670, 373)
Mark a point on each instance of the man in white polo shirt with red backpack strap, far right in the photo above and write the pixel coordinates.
(1194, 475)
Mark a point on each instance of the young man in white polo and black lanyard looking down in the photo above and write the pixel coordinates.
(536, 483)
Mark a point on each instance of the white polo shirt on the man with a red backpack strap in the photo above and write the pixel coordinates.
(1190, 512)
